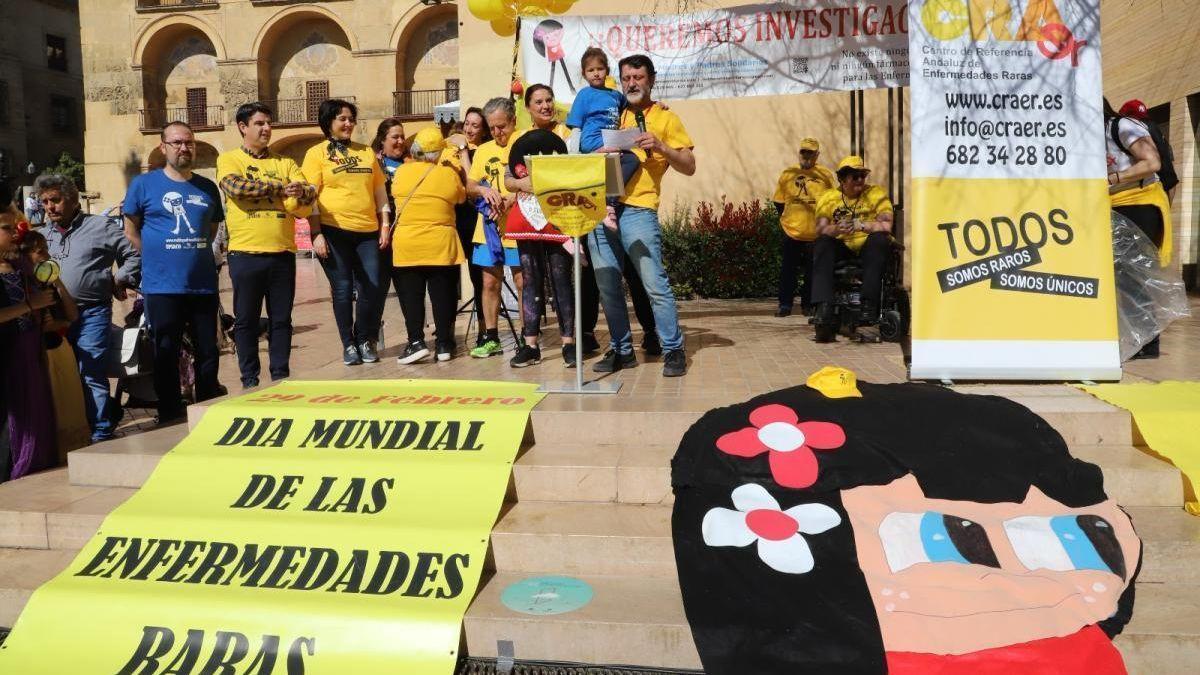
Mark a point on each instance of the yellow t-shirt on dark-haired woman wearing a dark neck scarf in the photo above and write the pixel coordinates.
(346, 187)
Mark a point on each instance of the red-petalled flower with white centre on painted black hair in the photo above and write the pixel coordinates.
(778, 431)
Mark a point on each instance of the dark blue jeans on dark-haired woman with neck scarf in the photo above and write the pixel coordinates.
(355, 267)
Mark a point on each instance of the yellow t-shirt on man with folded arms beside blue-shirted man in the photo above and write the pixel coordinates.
(262, 225)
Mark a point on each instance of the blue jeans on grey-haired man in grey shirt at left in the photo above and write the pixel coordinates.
(89, 337)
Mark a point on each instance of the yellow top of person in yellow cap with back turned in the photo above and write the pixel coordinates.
(425, 225)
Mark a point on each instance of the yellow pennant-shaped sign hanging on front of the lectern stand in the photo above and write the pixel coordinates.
(571, 190)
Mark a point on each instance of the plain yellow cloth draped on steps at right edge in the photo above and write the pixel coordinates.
(1168, 415)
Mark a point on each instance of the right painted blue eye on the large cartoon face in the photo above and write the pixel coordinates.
(1066, 542)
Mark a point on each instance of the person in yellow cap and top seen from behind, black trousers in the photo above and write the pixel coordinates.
(428, 253)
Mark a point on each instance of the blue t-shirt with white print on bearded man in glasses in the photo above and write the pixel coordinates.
(178, 224)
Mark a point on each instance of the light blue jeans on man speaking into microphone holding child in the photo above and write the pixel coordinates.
(640, 238)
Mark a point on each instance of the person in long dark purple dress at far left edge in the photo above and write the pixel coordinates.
(26, 381)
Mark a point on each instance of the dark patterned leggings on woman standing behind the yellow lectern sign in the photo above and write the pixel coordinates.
(536, 258)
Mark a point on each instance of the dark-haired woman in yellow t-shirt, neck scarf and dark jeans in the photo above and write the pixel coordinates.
(351, 225)
